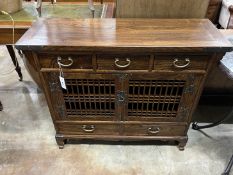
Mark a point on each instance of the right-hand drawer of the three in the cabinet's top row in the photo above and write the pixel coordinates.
(181, 62)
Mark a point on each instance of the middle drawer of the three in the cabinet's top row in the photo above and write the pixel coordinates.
(123, 62)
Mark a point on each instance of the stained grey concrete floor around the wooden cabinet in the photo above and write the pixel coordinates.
(27, 144)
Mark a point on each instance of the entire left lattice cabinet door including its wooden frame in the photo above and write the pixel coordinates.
(88, 96)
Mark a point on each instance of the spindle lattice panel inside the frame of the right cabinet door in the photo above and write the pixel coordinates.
(154, 98)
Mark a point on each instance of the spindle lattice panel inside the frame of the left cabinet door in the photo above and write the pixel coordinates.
(89, 97)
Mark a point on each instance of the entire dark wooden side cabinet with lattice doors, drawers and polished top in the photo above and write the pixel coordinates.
(126, 79)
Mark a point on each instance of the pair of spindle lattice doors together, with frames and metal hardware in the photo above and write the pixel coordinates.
(152, 97)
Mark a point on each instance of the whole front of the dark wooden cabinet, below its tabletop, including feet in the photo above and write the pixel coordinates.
(123, 95)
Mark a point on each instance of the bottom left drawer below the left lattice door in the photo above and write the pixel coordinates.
(88, 129)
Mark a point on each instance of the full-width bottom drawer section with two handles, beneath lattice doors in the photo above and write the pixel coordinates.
(132, 129)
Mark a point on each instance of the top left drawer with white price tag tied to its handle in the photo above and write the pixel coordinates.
(69, 61)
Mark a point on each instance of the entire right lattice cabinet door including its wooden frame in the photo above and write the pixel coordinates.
(161, 97)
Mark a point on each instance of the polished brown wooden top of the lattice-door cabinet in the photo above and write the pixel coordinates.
(99, 34)
